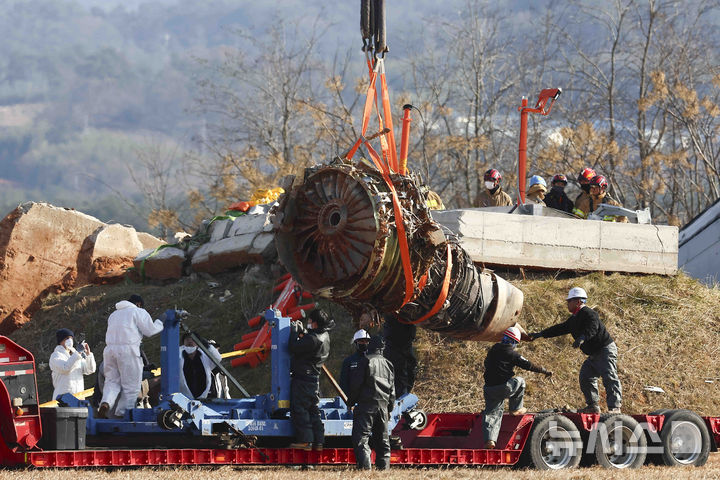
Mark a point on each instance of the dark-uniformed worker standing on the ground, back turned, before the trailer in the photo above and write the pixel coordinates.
(372, 391)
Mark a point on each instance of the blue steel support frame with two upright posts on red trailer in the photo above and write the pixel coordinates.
(262, 415)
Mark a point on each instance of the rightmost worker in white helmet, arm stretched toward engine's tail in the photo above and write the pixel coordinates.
(593, 339)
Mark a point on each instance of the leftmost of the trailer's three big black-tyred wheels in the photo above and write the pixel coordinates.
(554, 443)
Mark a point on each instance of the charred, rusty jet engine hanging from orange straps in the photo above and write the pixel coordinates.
(336, 233)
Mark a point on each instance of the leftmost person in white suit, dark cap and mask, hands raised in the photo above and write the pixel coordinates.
(69, 365)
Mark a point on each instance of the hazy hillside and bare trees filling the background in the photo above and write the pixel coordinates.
(161, 113)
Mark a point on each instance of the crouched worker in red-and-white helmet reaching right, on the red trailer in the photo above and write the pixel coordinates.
(501, 383)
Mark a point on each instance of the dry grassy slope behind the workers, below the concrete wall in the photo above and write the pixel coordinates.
(667, 330)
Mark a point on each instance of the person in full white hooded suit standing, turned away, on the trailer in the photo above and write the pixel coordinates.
(122, 362)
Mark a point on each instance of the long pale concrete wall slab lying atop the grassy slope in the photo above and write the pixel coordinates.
(549, 242)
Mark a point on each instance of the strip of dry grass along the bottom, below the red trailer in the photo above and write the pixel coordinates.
(710, 471)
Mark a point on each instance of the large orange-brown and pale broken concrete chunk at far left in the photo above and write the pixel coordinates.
(46, 249)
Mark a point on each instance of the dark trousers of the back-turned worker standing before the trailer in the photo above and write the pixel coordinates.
(370, 424)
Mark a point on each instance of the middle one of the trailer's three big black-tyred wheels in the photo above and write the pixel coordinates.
(620, 442)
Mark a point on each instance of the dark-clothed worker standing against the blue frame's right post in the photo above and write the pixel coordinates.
(309, 348)
